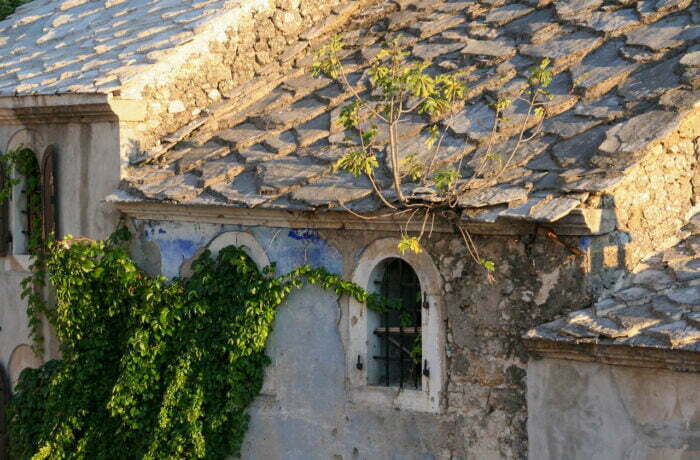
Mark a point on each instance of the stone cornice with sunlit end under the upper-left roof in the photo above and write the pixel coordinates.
(68, 108)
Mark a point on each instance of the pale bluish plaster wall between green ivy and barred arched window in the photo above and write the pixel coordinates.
(310, 417)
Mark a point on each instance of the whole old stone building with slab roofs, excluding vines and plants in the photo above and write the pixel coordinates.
(200, 124)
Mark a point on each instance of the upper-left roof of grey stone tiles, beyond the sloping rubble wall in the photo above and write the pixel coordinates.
(98, 46)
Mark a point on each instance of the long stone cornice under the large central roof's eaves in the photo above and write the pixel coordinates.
(581, 222)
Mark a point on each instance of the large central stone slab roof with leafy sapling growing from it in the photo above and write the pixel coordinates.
(626, 73)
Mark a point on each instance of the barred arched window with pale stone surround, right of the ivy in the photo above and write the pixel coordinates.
(396, 358)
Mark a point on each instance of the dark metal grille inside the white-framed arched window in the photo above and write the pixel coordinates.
(399, 334)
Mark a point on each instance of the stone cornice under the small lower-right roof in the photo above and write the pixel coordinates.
(619, 355)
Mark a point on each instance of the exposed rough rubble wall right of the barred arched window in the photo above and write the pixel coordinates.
(535, 279)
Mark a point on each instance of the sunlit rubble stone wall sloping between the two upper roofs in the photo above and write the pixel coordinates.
(266, 43)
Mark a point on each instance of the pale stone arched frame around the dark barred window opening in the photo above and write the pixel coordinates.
(429, 397)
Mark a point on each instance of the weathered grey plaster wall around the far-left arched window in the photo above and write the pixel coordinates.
(87, 171)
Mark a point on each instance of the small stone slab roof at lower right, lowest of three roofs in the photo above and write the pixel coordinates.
(658, 305)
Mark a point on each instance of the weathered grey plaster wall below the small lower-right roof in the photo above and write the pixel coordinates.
(593, 411)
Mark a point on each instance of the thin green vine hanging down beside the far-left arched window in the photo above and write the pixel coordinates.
(24, 163)
